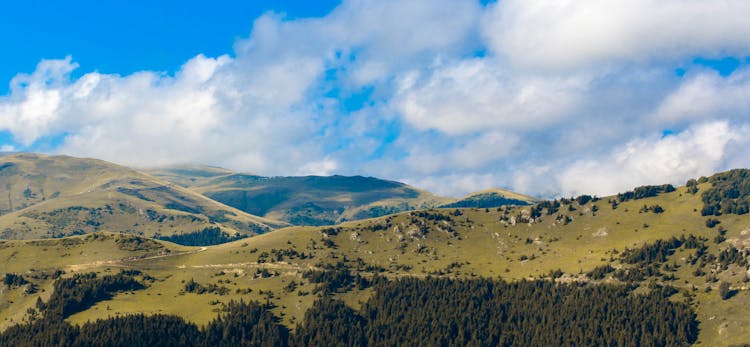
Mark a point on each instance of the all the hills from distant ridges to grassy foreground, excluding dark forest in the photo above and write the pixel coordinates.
(688, 245)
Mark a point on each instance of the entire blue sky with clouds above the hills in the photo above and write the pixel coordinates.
(548, 97)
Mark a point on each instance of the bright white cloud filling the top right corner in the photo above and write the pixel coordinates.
(553, 34)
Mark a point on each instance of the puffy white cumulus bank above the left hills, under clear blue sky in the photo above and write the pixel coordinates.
(148, 118)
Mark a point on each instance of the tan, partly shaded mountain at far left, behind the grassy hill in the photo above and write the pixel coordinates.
(54, 196)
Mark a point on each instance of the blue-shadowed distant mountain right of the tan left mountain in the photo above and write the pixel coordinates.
(305, 200)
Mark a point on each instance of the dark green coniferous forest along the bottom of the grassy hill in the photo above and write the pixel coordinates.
(409, 311)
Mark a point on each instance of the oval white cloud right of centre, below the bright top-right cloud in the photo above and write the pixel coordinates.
(475, 94)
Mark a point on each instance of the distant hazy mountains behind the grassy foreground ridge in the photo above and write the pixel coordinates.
(55, 196)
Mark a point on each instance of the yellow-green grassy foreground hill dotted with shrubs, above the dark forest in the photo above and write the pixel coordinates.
(694, 238)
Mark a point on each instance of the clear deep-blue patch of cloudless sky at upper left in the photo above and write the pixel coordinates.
(127, 36)
